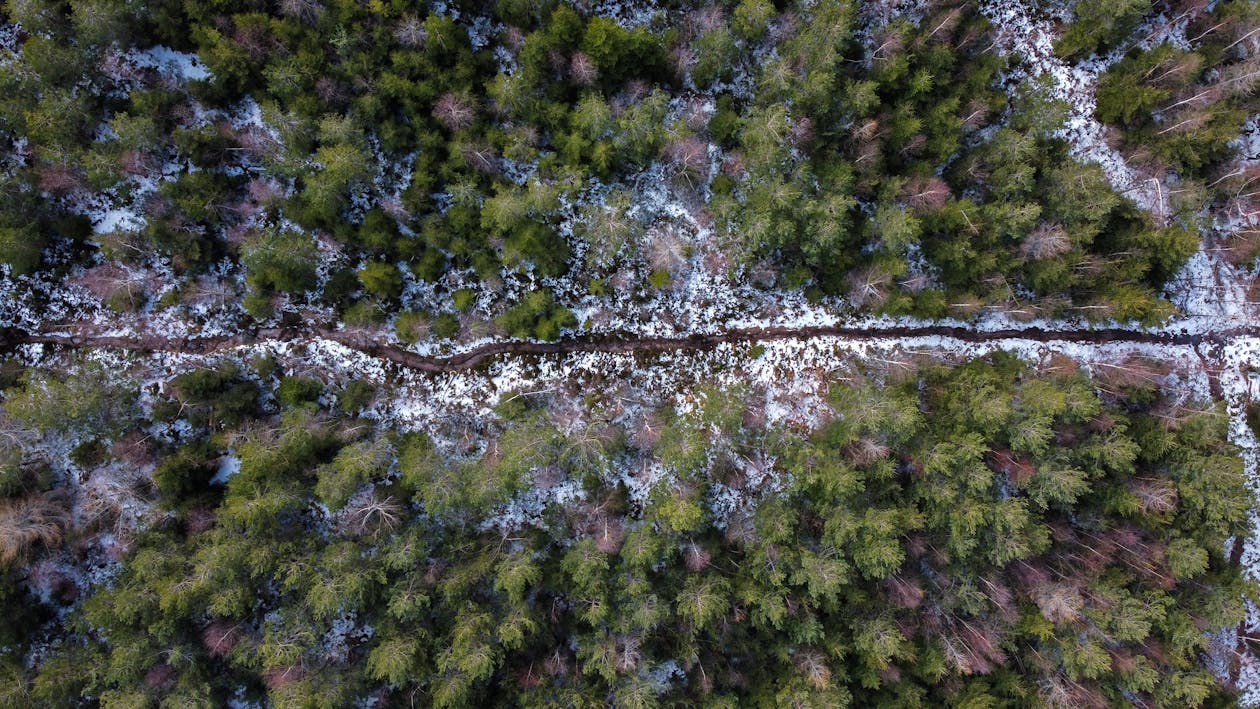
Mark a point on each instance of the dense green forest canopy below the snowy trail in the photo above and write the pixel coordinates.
(982, 535)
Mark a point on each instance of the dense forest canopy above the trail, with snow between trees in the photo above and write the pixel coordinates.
(351, 156)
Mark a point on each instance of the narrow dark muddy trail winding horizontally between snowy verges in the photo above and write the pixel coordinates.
(367, 344)
